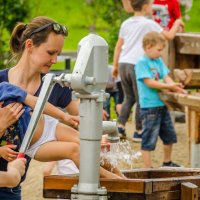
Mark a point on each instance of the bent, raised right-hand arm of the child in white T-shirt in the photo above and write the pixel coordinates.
(169, 35)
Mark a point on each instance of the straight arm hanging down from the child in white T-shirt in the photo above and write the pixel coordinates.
(116, 56)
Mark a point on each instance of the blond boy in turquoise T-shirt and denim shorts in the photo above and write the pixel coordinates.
(150, 70)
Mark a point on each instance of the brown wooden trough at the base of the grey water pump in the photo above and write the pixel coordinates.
(142, 184)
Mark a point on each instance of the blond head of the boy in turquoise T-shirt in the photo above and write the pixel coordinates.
(153, 44)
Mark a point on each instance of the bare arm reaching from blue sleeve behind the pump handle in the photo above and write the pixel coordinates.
(53, 111)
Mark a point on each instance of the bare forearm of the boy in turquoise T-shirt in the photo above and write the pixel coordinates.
(176, 87)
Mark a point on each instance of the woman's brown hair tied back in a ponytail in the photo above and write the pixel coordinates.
(22, 32)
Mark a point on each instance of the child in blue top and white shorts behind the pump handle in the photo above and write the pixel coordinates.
(59, 140)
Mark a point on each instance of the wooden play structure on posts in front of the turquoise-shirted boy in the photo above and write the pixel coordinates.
(184, 62)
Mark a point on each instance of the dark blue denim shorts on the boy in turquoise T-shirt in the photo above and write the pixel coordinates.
(156, 122)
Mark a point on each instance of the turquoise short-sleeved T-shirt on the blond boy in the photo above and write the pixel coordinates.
(153, 69)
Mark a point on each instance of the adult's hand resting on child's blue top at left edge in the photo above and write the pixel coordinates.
(9, 114)
